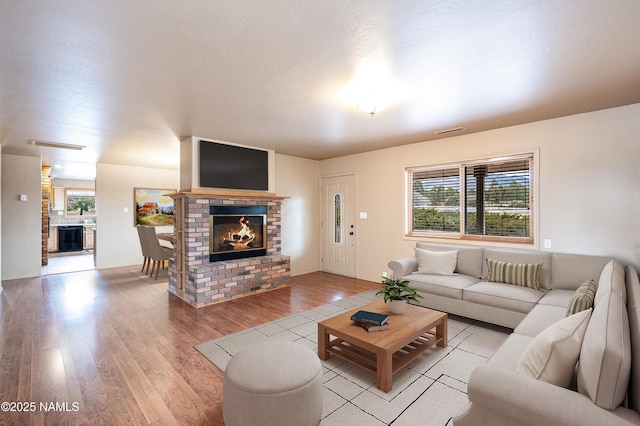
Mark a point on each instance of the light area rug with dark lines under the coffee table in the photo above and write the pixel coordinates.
(429, 391)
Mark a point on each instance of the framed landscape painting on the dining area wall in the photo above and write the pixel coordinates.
(153, 207)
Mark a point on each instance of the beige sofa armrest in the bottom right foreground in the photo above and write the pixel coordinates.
(502, 397)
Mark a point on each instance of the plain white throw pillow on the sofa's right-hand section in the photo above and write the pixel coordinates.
(552, 355)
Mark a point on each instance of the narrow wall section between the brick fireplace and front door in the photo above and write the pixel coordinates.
(297, 179)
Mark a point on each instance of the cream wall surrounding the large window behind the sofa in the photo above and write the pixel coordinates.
(588, 175)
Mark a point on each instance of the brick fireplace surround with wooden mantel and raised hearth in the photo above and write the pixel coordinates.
(196, 279)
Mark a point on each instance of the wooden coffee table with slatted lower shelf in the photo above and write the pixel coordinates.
(383, 352)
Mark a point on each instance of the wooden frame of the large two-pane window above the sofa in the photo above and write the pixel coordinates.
(410, 171)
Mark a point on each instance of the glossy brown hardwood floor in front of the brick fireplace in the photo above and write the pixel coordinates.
(105, 347)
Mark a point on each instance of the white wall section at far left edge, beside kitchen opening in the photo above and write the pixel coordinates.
(21, 220)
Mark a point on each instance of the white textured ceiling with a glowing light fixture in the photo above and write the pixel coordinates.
(128, 79)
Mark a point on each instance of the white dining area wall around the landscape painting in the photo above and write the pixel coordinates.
(117, 242)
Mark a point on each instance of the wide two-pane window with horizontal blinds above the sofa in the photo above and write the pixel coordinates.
(487, 200)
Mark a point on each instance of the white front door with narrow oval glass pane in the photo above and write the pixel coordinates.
(338, 225)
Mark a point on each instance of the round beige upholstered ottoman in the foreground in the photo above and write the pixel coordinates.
(276, 382)
